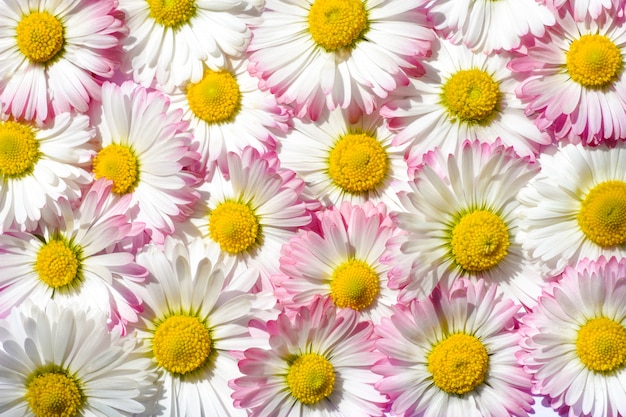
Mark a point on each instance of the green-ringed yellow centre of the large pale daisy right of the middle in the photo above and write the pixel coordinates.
(480, 240)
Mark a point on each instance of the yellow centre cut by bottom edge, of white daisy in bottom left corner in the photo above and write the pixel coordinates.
(54, 394)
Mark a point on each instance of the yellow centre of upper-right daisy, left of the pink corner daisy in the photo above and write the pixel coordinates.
(471, 96)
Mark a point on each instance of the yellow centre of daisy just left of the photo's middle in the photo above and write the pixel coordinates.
(234, 226)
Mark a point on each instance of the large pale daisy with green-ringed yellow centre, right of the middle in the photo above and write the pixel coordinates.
(461, 219)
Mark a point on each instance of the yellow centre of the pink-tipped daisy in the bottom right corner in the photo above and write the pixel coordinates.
(601, 344)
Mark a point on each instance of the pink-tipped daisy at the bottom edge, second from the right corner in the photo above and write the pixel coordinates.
(454, 355)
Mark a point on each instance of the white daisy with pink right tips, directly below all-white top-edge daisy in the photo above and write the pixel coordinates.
(228, 112)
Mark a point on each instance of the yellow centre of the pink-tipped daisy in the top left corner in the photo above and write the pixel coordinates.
(40, 36)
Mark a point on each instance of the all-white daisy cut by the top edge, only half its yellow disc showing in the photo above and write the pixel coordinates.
(170, 42)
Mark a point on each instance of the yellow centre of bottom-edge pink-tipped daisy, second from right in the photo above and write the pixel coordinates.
(458, 364)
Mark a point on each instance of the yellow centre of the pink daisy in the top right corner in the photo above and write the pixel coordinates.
(593, 61)
